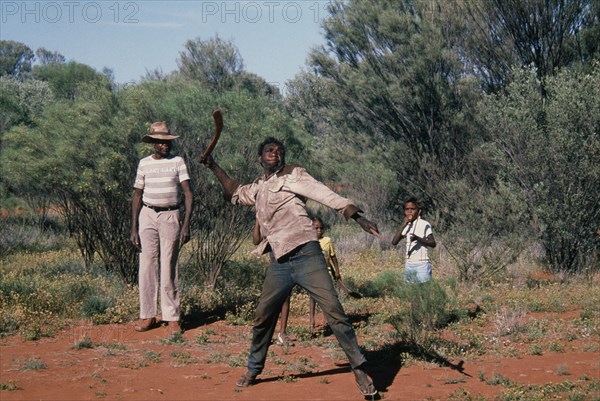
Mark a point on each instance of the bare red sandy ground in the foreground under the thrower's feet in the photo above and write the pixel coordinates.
(119, 366)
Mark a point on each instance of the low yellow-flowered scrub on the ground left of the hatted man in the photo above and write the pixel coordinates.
(40, 291)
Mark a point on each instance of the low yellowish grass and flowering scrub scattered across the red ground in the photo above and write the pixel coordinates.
(434, 323)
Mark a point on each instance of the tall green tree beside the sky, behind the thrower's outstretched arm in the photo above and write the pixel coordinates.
(397, 91)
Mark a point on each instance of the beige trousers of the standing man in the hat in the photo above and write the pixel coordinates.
(159, 239)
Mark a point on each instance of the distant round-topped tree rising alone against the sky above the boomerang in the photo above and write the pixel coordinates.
(214, 62)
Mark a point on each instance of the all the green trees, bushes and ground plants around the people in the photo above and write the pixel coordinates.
(491, 121)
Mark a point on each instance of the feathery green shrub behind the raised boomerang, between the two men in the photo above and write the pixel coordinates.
(218, 228)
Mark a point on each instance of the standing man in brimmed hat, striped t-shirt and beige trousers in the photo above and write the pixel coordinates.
(156, 231)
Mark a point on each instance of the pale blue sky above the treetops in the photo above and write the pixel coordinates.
(274, 37)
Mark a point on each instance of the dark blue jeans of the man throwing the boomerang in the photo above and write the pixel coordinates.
(305, 266)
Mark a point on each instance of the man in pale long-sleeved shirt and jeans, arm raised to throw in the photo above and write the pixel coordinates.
(279, 196)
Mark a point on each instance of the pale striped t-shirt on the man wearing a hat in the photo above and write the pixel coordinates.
(160, 179)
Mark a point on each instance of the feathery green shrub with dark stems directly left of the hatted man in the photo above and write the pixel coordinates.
(77, 155)
